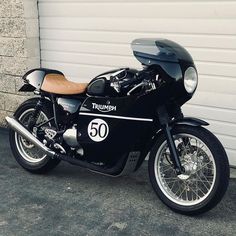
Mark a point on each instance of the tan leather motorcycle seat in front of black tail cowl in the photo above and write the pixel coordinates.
(58, 84)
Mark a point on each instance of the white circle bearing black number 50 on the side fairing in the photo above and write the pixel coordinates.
(98, 130)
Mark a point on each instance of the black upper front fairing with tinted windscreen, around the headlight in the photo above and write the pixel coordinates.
(170, 61)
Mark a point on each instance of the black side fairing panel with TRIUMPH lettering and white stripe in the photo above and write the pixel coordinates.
(124, 134)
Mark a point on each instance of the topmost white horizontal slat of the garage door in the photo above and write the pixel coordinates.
(144, 9)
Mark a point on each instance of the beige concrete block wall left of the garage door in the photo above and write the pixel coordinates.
(19, 50)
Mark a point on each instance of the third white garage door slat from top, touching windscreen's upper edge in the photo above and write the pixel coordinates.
(202, 41)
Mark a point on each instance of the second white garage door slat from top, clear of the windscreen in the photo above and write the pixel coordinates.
(211, 26)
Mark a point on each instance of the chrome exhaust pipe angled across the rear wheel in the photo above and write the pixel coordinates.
(21, 130)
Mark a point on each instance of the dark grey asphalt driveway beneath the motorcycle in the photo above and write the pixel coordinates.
(73, 201)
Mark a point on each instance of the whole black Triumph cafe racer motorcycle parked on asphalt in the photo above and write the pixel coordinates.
(110, 125)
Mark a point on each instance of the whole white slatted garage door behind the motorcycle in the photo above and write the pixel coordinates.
(84, 38)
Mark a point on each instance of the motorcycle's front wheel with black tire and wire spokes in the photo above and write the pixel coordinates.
(206, 176)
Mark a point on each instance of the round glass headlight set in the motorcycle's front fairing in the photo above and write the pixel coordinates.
(190, 80)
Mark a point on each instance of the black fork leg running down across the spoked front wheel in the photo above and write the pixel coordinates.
(173, 151)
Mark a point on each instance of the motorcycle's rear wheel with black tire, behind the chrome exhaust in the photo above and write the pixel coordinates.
(21, 146)
